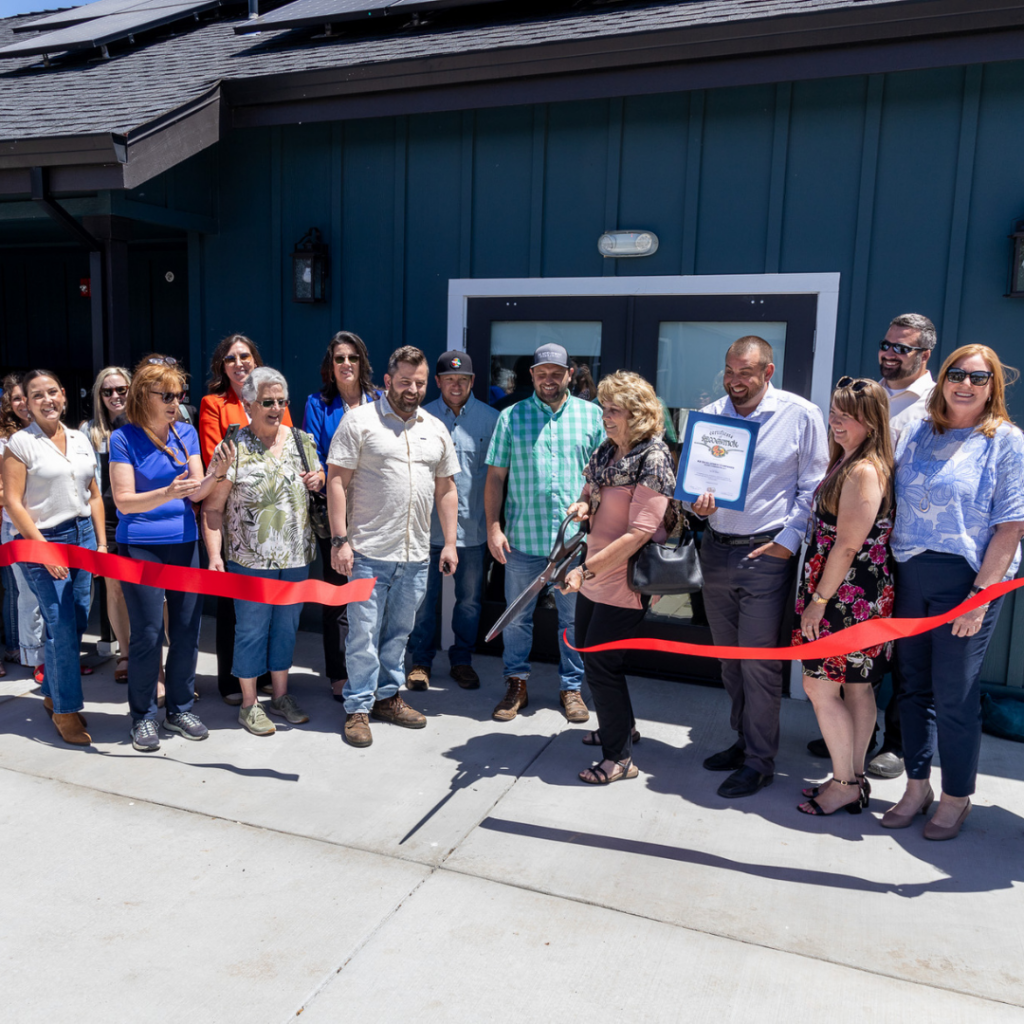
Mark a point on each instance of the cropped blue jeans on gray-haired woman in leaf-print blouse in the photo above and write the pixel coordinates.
(265, 634)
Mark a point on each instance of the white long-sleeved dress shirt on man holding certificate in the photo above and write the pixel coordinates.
(790, 460)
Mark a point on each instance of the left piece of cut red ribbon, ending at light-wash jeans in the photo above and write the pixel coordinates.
(181, 578)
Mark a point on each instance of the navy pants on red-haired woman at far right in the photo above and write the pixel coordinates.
(941, 703)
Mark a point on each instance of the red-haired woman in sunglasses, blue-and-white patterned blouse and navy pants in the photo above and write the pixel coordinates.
(960, 520)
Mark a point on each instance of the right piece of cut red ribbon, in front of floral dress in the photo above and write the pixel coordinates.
(860, 637)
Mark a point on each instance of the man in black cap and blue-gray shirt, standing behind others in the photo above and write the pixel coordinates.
(471, 422)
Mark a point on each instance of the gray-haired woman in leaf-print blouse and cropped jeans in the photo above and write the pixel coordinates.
(263, 503)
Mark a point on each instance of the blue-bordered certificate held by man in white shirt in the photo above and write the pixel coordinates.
(718, 452)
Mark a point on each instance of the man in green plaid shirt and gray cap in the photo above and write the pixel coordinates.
(541, 446)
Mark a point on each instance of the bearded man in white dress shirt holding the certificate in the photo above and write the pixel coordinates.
(748, 557)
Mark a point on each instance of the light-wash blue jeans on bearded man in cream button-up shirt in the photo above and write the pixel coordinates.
(379, 628)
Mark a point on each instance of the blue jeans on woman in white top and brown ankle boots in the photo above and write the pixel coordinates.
(65, 607)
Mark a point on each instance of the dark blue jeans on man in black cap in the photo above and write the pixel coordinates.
(465, 617)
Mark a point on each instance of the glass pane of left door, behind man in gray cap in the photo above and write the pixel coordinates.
(514, 345)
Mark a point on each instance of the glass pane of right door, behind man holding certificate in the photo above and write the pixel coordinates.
(691, 364)
